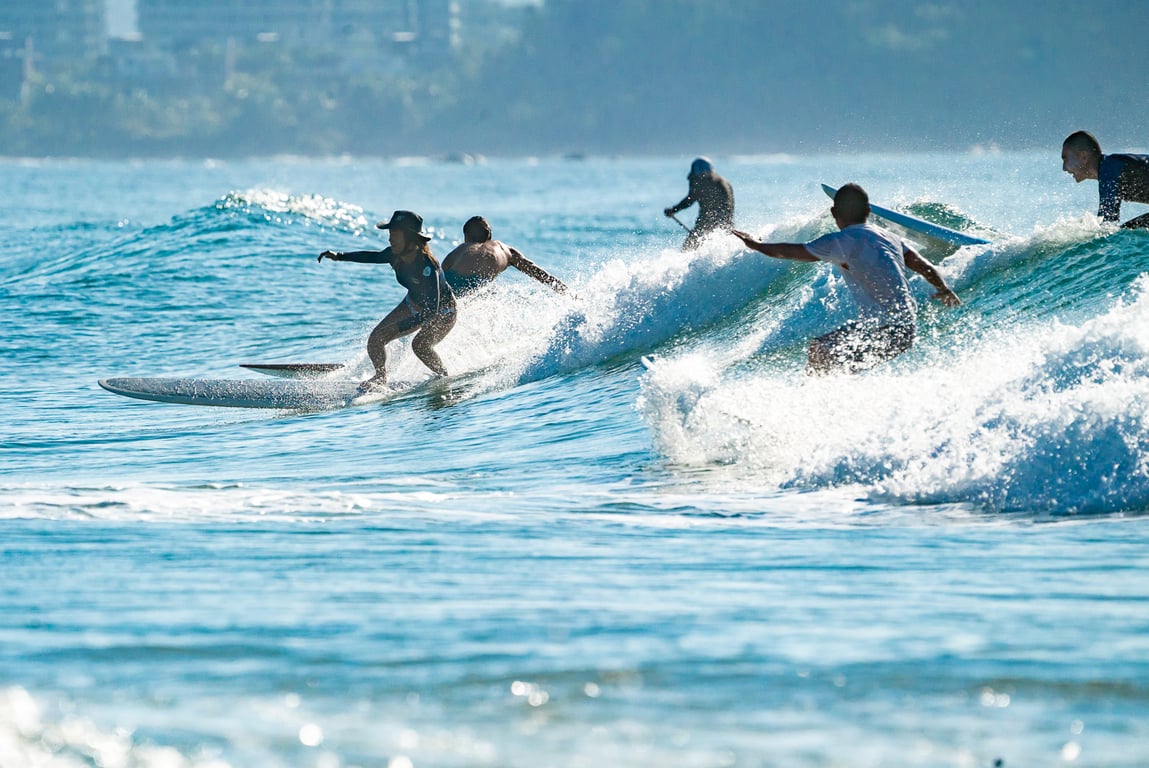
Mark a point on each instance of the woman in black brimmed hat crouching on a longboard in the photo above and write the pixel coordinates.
(429, 306)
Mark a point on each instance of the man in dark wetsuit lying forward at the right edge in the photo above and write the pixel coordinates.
(1120, 178)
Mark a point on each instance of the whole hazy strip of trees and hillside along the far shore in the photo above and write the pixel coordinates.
(608, 76)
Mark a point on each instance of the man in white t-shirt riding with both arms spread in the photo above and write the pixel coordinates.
(874, 264)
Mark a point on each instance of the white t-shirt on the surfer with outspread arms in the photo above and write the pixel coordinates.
(874, 264)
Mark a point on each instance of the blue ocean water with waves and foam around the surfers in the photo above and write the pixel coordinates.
(564, 558)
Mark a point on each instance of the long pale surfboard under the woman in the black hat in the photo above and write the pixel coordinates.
(248, 394)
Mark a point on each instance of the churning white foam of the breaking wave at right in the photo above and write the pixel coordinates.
(1047, 418)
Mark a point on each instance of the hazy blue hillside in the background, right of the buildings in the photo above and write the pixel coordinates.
(782, 76)
